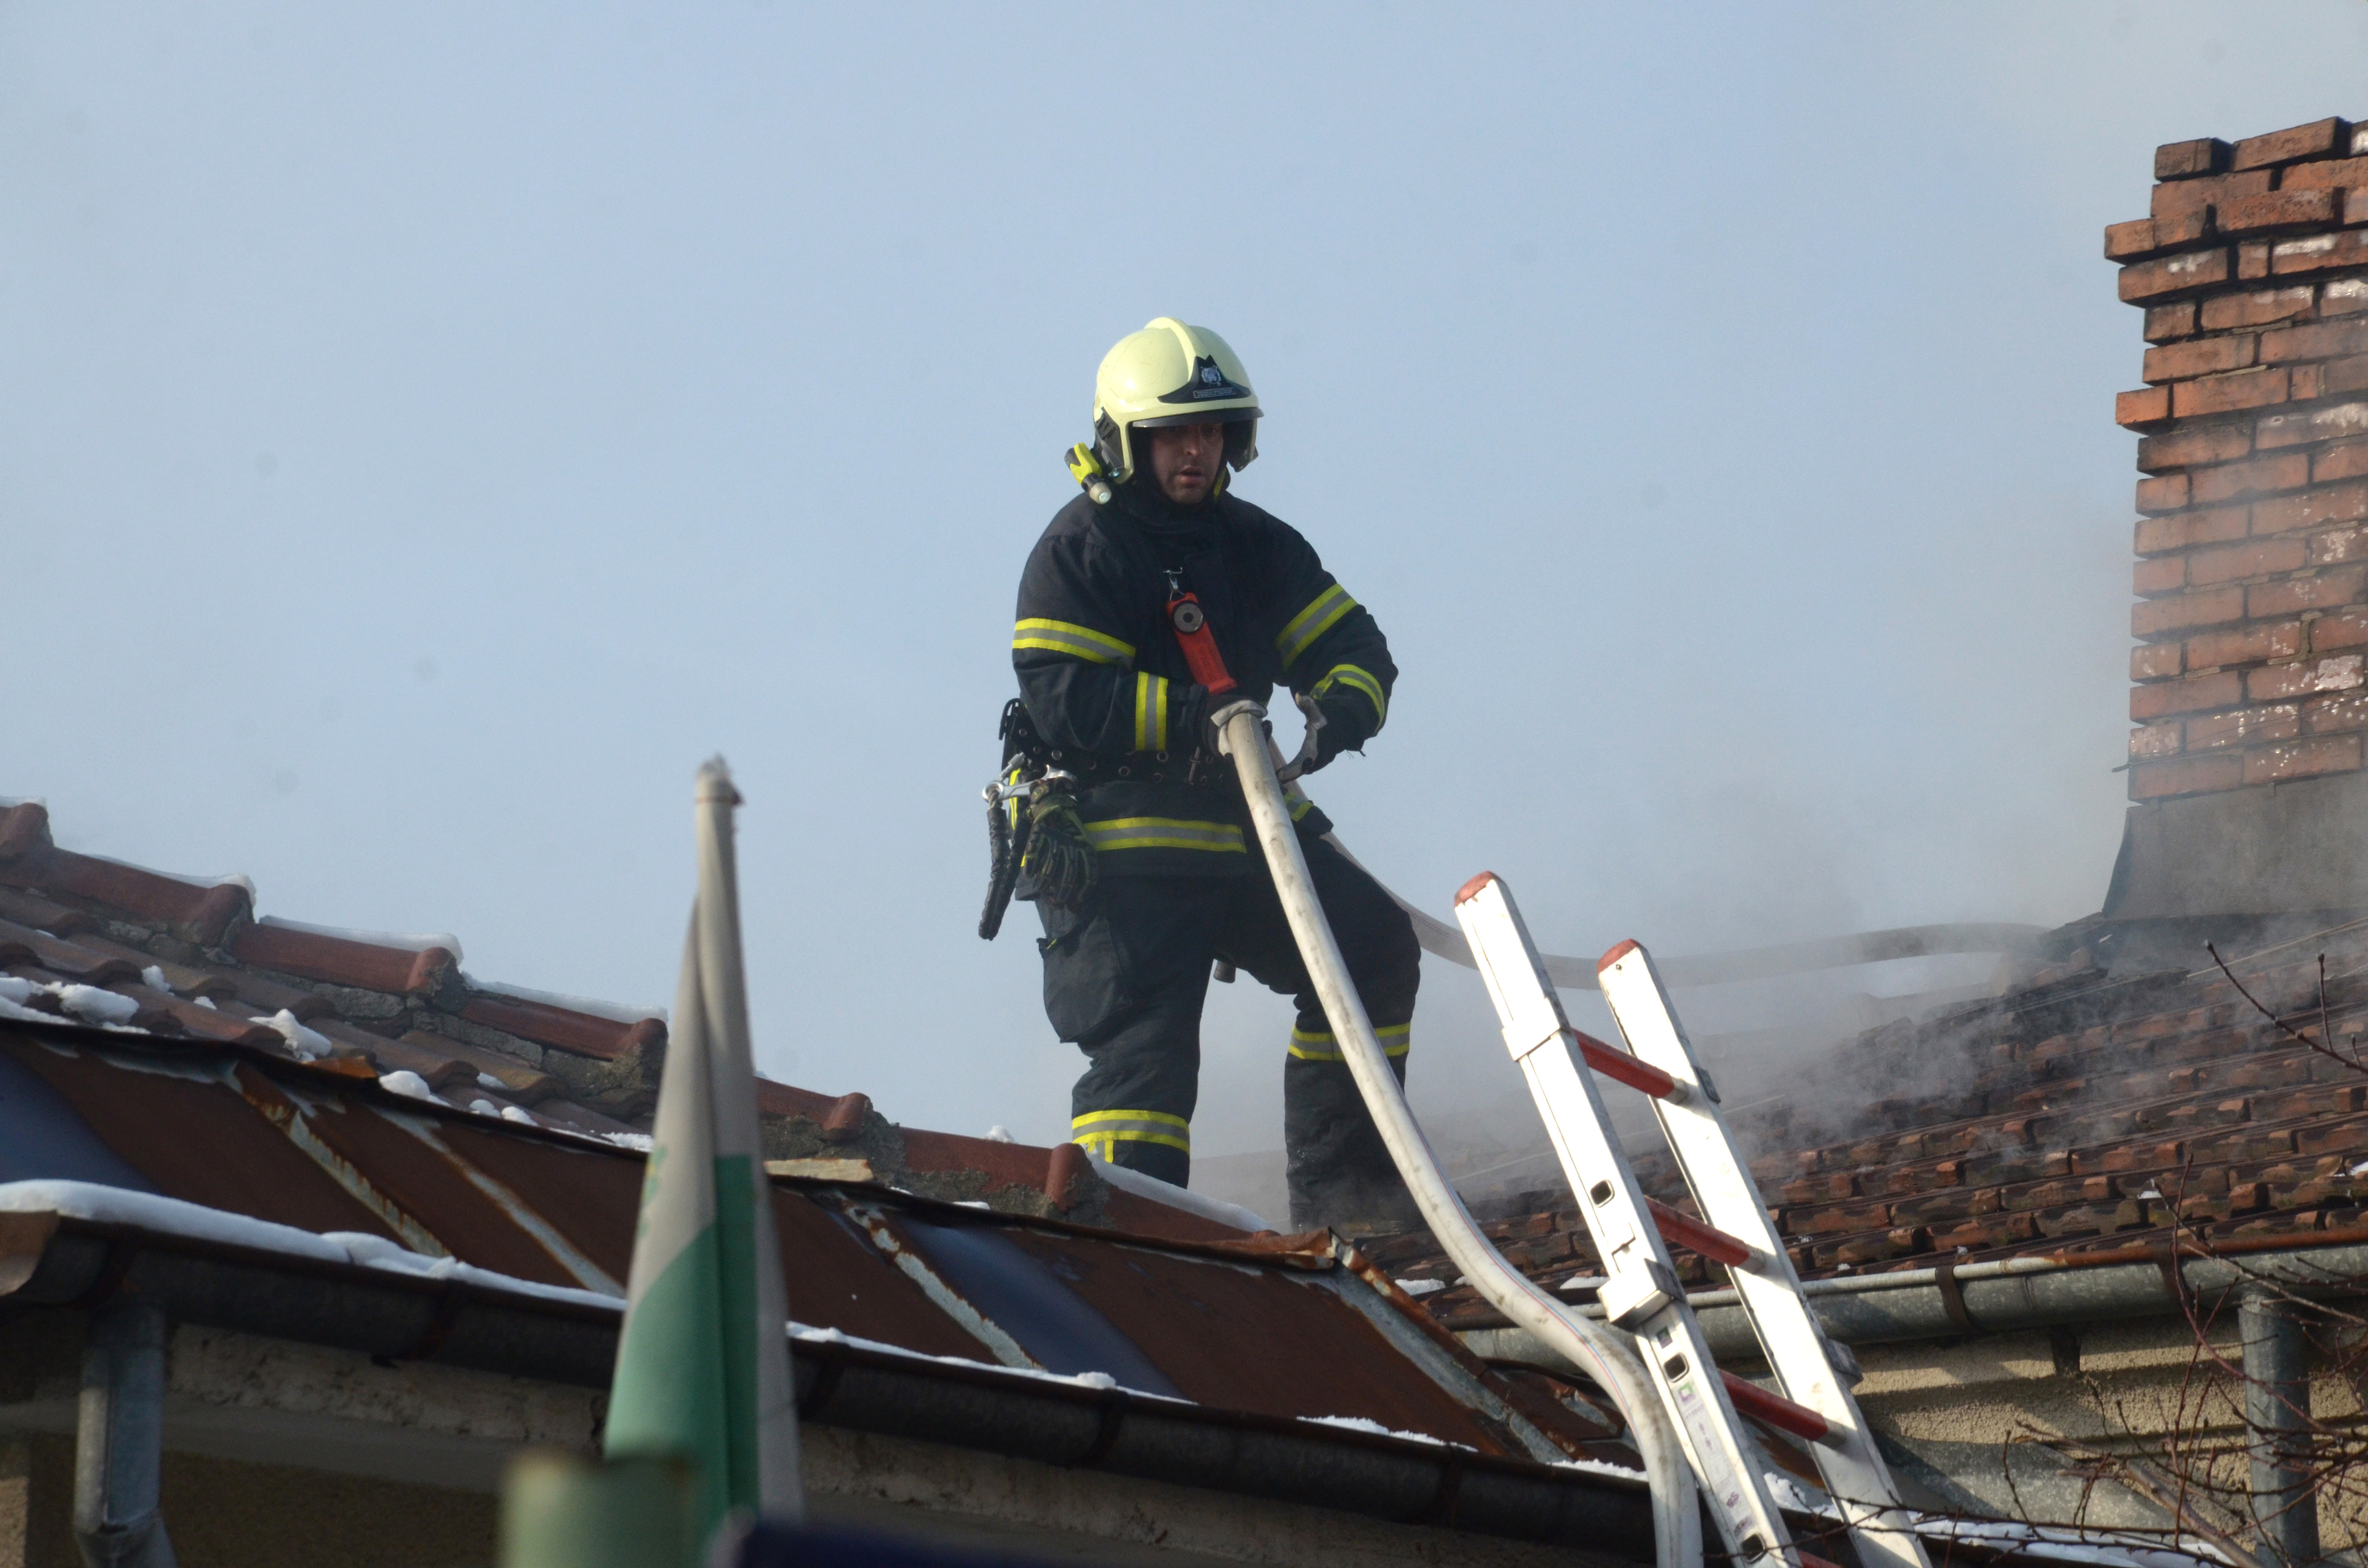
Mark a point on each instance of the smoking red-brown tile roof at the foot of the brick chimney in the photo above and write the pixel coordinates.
(2078, 1114)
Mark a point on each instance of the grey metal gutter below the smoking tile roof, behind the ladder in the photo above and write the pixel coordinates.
(2014, 1294)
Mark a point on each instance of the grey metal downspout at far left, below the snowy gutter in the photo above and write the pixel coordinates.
(120, 1439)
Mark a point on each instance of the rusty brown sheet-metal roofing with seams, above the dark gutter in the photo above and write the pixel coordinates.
(1296, 1330)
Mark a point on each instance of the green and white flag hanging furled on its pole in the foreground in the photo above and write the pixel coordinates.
(702, 1368)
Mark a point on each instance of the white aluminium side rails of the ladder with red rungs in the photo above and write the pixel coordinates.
(1633, 1230)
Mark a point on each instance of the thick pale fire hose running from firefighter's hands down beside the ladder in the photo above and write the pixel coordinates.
(1602, 1351)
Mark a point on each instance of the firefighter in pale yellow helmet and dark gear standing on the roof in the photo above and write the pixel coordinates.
(1147, 870)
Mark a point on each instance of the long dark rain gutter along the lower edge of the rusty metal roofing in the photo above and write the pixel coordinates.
(82, 1266)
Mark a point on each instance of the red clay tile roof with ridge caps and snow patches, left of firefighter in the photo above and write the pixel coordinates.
(193, 960)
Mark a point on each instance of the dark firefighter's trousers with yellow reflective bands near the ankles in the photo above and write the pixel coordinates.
(1126, 977)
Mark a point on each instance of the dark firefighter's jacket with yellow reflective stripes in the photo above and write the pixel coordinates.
(1107, 683)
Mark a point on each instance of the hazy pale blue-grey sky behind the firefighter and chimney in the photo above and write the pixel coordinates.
(430, 432)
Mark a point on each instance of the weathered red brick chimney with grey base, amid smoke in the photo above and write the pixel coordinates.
(2253, 546)
